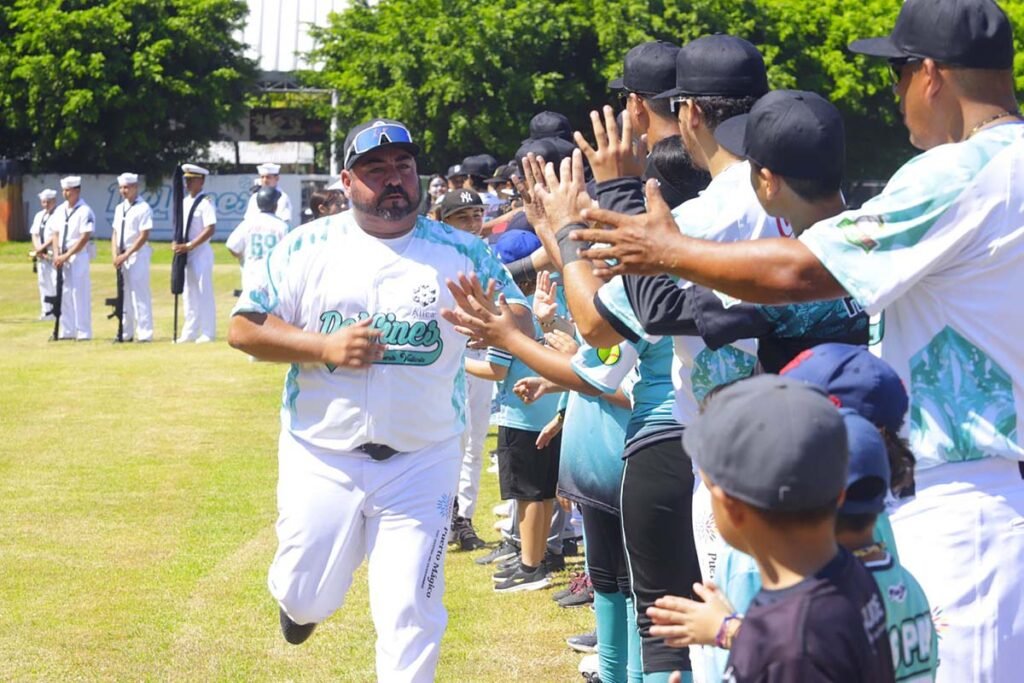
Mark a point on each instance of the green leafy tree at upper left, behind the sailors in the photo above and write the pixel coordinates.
(105, 86)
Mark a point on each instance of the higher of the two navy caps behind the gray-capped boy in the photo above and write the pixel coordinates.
(855, 378)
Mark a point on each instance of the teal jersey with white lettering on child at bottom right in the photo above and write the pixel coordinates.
(909, 621)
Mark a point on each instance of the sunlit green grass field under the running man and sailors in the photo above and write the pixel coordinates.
(139, 508)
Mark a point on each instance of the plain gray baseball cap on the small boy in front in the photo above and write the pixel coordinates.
(774, 443)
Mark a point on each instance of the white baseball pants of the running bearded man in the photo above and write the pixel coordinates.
(336, 509)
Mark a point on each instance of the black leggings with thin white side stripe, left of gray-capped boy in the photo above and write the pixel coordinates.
(657, 517)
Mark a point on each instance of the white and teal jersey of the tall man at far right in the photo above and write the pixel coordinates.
(940, 252)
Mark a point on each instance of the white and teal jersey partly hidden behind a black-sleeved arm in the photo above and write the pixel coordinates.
(727, 211)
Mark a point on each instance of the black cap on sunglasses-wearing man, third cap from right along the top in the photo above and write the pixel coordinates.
(719, 65)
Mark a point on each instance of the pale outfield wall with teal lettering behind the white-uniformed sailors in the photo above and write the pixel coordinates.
(230, 194)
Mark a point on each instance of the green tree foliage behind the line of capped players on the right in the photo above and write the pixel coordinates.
(468, 76)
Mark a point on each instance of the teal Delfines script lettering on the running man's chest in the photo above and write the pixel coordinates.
(409, 343)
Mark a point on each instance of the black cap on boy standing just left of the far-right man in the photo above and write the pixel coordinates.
(795, 134)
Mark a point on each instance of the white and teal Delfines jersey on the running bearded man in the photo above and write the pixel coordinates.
(328, 275)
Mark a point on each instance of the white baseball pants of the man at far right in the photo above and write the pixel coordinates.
(963, 539)
